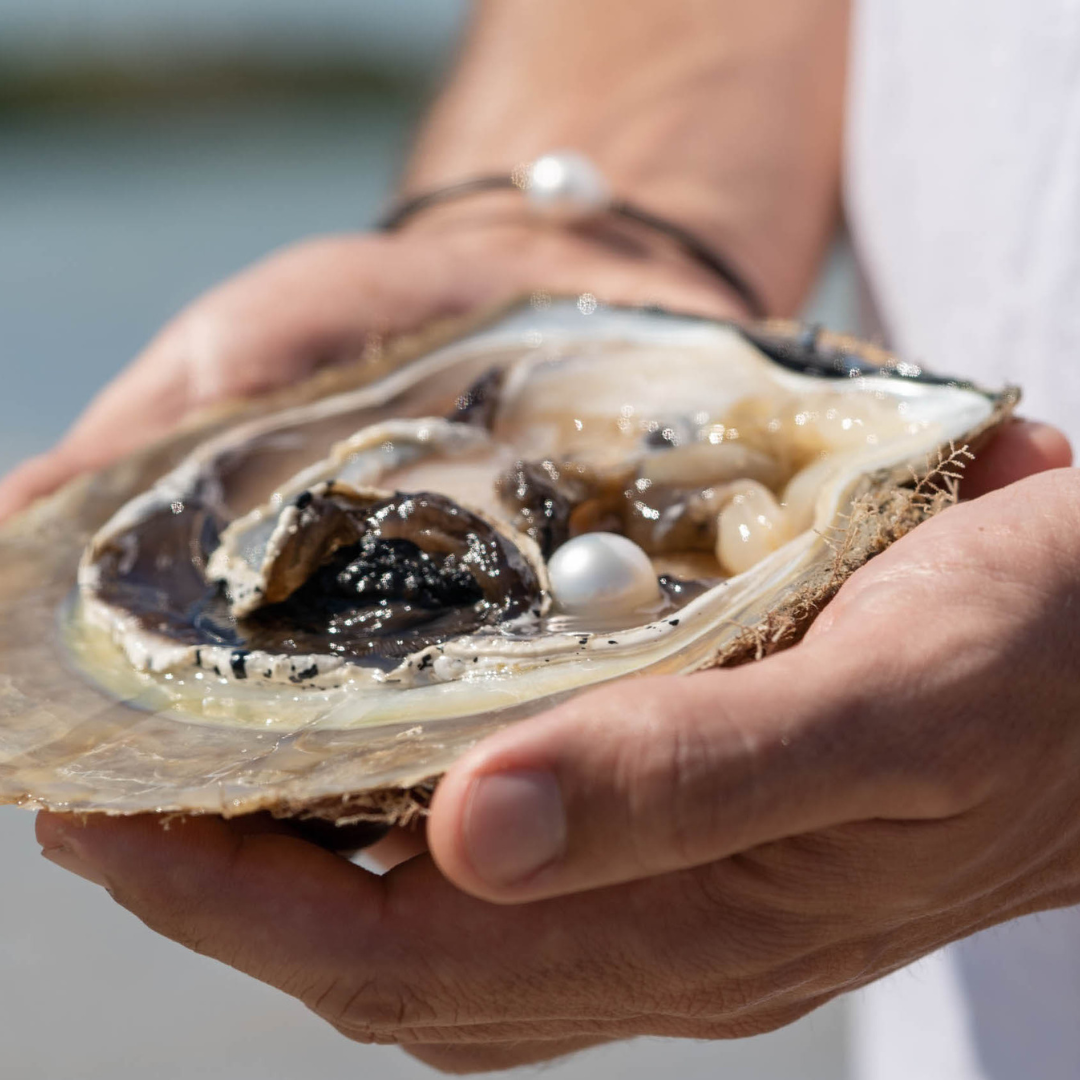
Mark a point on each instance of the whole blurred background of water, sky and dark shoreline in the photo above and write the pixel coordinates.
(150, 148)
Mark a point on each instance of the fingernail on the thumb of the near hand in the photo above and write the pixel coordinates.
(515, 826)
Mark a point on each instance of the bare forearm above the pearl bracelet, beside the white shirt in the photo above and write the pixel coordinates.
(723, 115)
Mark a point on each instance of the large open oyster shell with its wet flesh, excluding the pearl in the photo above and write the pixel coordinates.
(759, 468)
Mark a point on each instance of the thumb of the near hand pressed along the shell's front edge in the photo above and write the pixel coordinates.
(652, 776)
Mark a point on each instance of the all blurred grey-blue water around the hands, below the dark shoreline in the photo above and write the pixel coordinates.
(107, 226)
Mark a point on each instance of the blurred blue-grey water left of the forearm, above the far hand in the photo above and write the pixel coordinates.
(111, 224)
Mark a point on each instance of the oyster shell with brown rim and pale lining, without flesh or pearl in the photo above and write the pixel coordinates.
(99, 714)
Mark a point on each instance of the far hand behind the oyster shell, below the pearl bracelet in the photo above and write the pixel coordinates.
(322, 302)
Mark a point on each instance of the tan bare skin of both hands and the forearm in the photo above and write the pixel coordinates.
(738, 846)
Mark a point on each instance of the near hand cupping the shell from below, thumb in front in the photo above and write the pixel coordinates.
(705, 857)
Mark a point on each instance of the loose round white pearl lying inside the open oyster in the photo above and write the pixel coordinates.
(602, 574)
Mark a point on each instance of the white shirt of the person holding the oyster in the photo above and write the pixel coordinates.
(964, 200)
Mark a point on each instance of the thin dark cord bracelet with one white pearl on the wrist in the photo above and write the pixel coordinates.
(570, 188)
